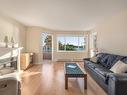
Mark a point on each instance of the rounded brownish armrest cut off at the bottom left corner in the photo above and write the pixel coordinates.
(9, 86)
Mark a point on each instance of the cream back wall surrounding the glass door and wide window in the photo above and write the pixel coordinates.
(33, 44)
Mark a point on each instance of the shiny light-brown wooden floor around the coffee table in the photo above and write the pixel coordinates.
(48, 79)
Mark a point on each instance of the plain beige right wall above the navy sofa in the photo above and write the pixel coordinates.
(112, 34)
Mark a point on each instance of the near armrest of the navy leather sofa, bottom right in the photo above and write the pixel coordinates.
(117, 84)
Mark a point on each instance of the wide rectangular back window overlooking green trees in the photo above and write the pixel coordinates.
(71, 43)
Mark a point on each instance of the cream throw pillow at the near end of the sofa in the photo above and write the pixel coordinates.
(119, 67)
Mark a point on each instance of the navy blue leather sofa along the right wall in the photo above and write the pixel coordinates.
(112, 83)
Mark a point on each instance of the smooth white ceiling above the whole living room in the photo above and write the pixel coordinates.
(61, 14)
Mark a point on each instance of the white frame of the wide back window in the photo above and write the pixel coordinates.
(86, 36)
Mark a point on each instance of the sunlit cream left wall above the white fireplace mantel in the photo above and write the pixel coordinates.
(12, 28)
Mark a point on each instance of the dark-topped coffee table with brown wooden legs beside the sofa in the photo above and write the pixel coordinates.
(73, 70)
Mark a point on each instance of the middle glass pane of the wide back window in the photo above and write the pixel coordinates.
(71, 43)
